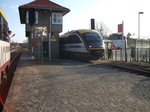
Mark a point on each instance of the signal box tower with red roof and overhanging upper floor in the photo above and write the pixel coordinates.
(43, 23)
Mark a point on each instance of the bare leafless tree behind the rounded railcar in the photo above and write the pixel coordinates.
(102, 29)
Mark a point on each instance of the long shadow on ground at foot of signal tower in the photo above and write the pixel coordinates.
(28, 60)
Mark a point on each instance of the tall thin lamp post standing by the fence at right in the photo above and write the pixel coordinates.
(137, 44)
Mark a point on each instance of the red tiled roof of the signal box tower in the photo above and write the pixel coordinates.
(44, 4)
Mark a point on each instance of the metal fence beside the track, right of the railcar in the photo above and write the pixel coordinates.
(138, 52)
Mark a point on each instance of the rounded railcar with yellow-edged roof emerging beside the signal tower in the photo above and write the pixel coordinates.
(82, 44)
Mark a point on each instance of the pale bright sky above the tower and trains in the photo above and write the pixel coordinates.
(110, 12)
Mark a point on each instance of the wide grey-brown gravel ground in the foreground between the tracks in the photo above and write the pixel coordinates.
(72, 86)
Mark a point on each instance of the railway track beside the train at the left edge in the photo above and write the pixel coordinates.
(4, 87)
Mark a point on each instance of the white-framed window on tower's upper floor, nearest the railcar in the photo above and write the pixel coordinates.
(56, 18)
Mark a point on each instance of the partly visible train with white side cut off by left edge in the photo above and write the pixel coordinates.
(4, 47)
